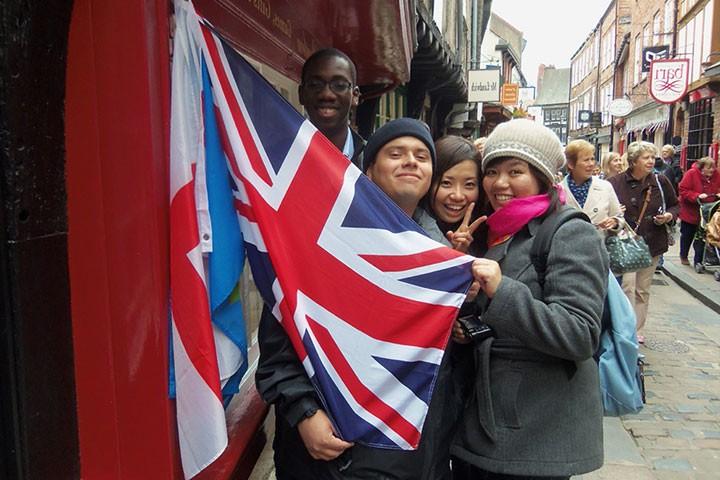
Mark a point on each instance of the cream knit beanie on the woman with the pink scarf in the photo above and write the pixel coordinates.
(529, 141)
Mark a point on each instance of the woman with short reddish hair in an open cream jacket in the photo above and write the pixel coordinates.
(585, 192)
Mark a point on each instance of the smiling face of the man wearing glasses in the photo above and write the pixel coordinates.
(328, 109)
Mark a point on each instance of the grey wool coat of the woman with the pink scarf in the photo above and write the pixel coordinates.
(536, 408)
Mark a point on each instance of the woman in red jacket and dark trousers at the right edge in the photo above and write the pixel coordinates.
(701, 184)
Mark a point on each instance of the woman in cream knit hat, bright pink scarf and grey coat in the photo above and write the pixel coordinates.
(535, 410)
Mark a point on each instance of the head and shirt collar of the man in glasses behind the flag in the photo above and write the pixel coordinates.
(328, 92)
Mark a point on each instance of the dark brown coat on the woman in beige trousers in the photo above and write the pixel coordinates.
(631, 193)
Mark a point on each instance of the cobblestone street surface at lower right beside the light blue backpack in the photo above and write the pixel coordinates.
(677, 435)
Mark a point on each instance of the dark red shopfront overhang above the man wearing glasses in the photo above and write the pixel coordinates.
(378, 36)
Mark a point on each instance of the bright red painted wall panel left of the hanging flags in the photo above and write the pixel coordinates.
(117, 156)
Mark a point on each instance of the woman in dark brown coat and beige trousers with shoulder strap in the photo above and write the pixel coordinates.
(639, 190)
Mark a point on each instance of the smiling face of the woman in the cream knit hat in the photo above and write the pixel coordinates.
(507, 179)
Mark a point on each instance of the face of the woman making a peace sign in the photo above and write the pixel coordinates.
(455, 190)
